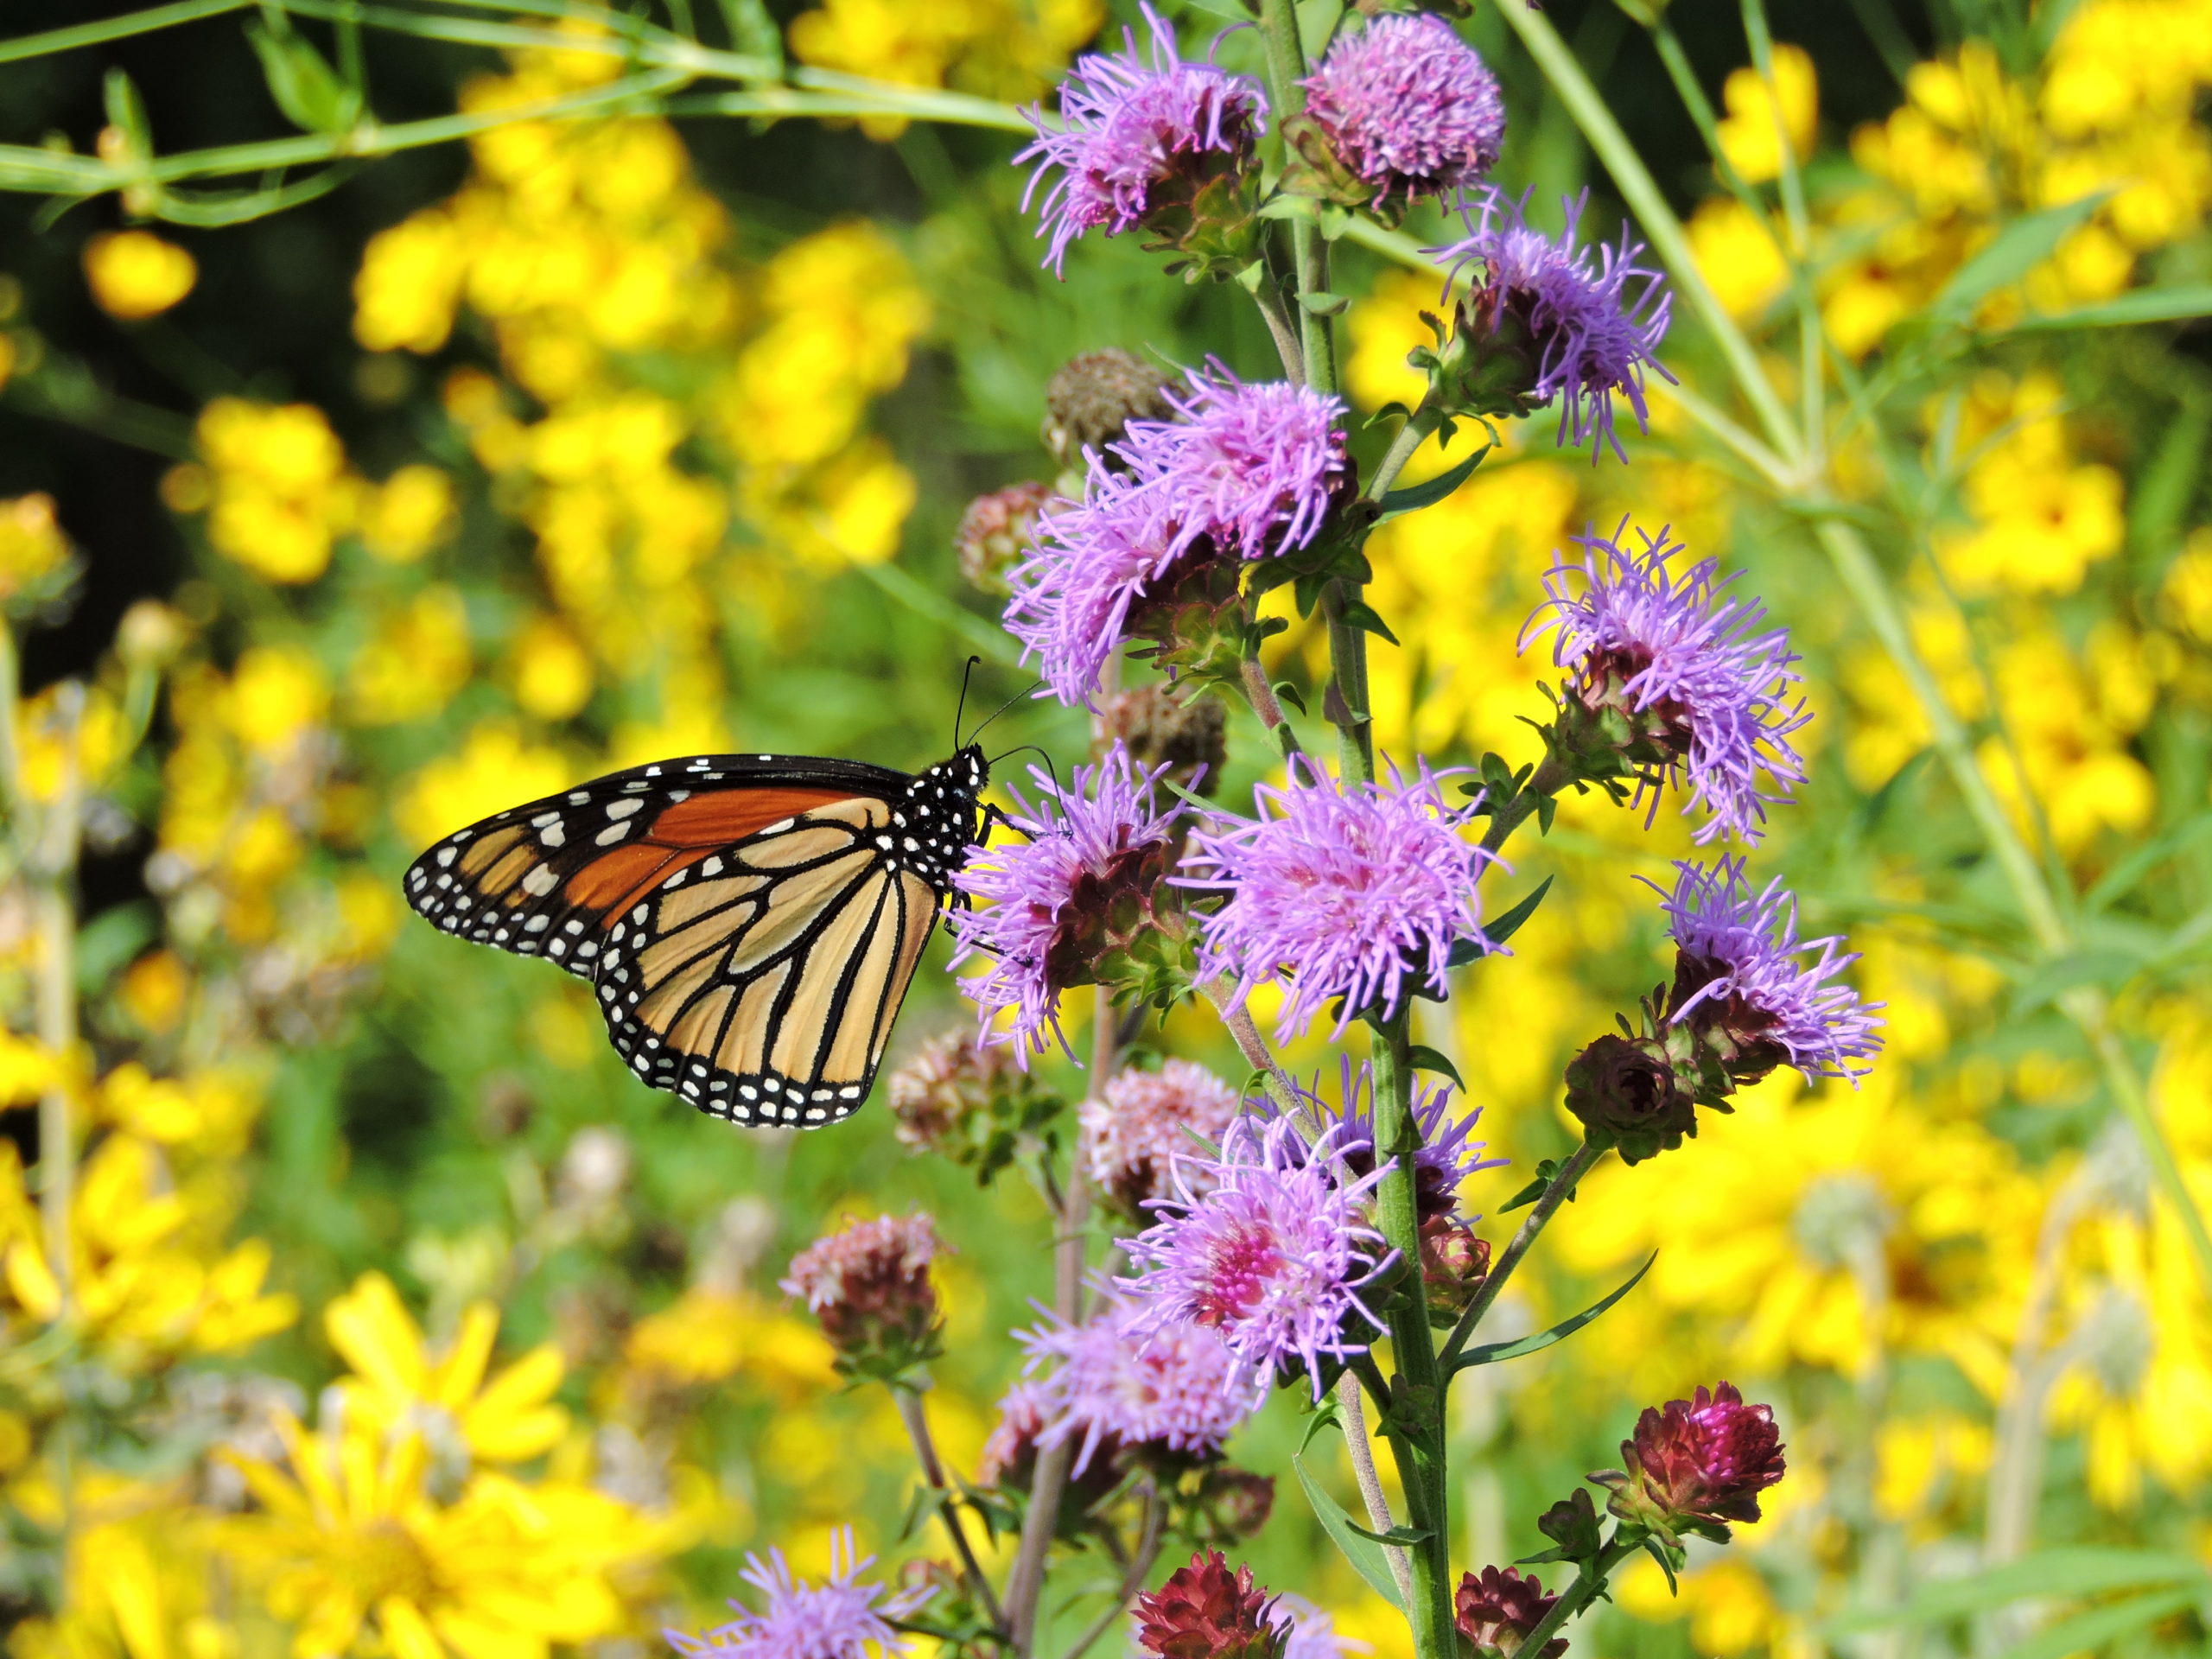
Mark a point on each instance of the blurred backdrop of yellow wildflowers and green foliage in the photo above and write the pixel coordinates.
(379, 1313)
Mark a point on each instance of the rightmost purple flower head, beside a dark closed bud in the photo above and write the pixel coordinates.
(1742, 972)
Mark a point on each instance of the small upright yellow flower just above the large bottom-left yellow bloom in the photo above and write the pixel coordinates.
(397, 1386)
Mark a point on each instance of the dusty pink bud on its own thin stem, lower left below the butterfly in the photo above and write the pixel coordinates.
(870, 1291)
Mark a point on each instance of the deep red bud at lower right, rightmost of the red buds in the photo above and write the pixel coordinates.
(1698, 1465)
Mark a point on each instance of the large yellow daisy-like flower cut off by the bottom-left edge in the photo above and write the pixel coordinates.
(353, 1541)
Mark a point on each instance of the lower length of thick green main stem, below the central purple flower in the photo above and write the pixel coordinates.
(1415, 1415)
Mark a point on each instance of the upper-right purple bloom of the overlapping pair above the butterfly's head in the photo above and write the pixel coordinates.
(1253, 468)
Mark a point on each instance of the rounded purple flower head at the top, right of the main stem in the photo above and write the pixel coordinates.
(1408, 107)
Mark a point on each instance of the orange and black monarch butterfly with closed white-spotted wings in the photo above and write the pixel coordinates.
(749, 921)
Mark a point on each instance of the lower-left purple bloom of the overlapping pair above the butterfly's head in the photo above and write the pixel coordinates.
(1094, 561)
